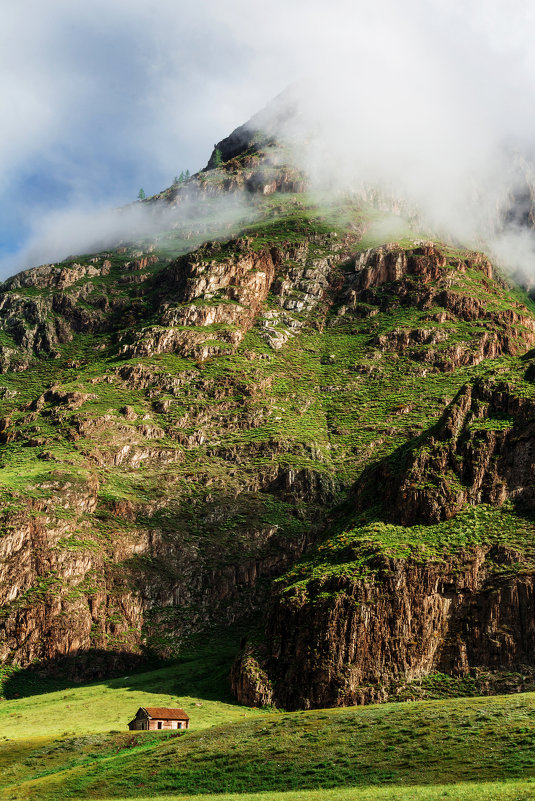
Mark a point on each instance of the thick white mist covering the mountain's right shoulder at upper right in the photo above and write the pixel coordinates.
(434, 110)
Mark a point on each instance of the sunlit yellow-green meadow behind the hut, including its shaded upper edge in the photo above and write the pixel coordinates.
(198, 683)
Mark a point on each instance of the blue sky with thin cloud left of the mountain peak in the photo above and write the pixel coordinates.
(100, 99)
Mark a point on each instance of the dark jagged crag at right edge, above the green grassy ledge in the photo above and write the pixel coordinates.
(481, 451)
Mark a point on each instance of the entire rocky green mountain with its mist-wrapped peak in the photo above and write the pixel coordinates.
(269, 412)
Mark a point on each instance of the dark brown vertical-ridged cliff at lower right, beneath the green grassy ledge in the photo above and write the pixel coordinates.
(353, 642)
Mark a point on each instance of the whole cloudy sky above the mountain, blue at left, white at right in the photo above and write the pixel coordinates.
(99, 99)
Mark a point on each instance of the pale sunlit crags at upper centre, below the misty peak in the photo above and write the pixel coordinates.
(227, 286)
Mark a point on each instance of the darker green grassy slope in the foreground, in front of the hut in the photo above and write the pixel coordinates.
(432, 743)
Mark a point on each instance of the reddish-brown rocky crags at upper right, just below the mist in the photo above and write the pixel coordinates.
(427, 276)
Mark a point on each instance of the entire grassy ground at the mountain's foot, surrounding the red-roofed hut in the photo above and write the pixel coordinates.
(470, 748)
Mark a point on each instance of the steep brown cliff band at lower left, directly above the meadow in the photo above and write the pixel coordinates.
(66, 597)
